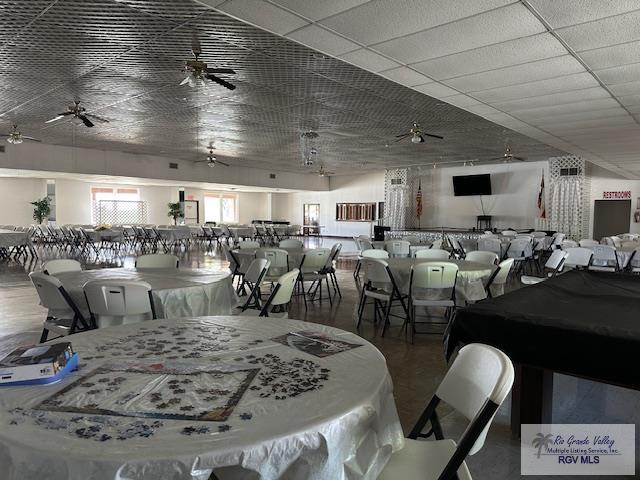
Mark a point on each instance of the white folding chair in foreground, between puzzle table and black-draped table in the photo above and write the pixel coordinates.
(475, 386)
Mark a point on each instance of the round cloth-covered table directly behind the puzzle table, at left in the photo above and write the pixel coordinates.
(176, 292)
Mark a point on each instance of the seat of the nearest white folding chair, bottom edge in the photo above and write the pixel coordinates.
(422, 460)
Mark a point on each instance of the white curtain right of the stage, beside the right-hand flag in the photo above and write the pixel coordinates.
(566, 206)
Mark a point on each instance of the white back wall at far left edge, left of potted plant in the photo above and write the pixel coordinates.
(15, 197)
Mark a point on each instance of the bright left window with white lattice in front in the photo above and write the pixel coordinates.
(117, 205)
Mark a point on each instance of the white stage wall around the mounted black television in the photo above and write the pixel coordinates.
(513, 202)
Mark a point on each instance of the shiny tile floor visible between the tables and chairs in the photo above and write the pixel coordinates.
(416, 368)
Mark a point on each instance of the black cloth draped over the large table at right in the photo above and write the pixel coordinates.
(579, 323)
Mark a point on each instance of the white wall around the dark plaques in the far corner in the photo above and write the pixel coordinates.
(367, 187)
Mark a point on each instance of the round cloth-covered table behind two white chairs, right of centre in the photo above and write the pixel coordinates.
(470, 282)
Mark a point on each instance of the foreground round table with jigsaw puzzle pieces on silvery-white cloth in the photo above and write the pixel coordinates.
(176, 399)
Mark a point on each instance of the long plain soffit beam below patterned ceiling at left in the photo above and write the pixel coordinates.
(56, 158)
